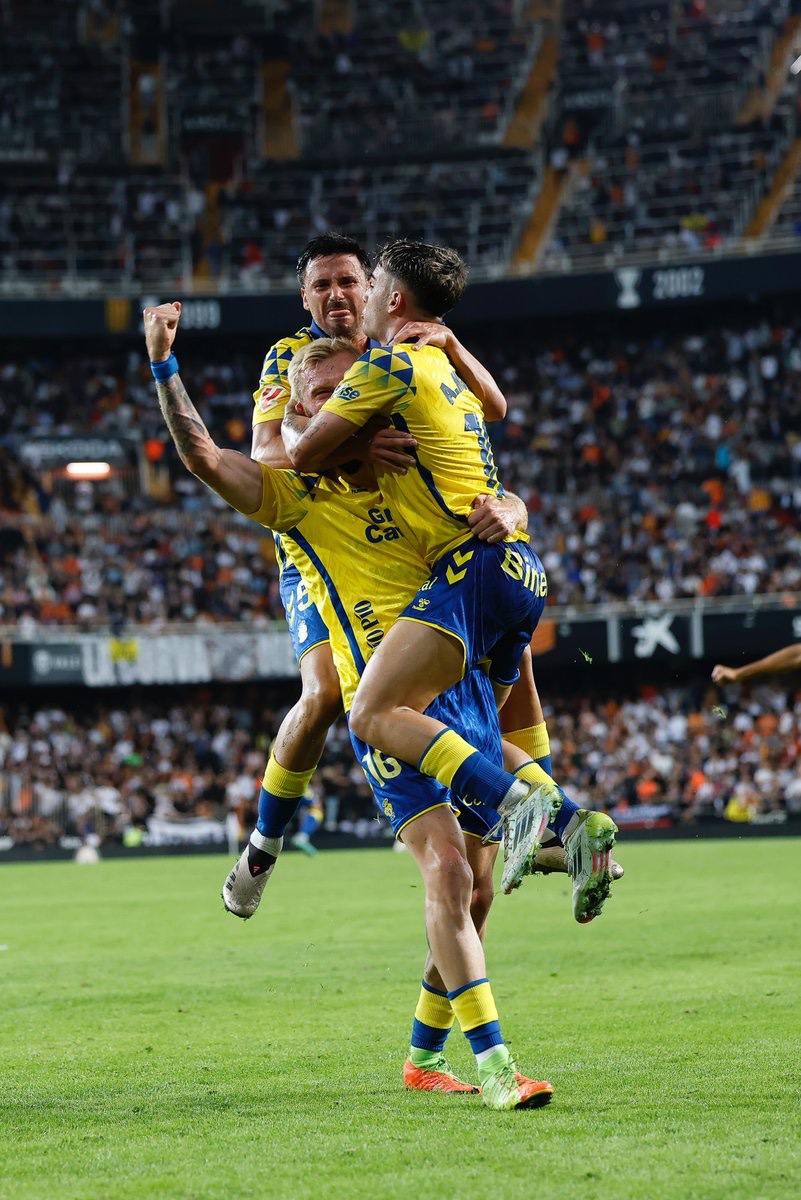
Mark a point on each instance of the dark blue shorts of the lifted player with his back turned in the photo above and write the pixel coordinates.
(491, 598)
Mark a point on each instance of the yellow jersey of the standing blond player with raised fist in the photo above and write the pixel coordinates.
(358, 567)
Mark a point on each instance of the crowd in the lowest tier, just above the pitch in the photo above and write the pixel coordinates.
(680, 754)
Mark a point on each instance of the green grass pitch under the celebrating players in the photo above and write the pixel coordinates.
(154, 1047)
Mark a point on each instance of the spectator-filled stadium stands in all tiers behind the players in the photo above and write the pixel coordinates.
(659, 458)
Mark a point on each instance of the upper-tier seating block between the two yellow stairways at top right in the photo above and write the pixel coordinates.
(668, 166)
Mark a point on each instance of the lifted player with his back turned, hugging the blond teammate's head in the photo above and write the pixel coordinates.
(481, 599)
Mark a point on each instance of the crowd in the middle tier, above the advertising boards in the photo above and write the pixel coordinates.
(655, 467)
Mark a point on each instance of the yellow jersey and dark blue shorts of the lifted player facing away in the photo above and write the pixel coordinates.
(490, 597)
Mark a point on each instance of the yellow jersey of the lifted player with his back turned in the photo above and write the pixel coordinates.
(421, 393)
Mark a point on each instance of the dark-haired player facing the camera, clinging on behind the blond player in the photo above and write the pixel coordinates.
(333, 273)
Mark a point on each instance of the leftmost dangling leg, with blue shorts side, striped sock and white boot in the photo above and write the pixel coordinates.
(296, 753)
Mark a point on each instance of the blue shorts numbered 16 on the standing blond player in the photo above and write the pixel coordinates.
(402, 794)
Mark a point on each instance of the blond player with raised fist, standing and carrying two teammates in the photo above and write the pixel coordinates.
(334, 529)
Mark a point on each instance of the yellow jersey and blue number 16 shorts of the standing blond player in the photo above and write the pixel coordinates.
(360, 572)
